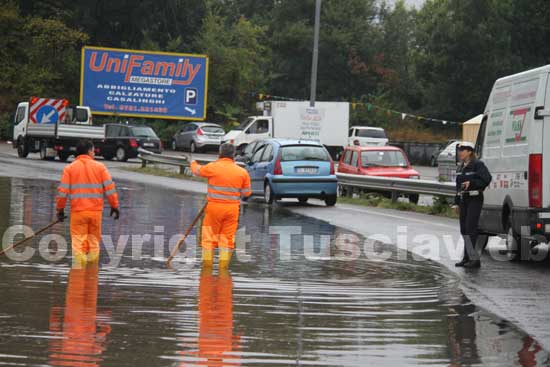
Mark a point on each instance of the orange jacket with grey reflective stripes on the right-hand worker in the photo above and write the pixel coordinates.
(227, 182)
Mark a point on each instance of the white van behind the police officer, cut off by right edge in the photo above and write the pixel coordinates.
(513, 139)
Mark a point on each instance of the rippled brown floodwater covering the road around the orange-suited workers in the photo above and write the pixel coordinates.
(278, 309)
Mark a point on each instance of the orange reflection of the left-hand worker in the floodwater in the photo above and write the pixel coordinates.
(82, 332)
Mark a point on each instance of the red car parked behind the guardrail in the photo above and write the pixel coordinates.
(385, 161)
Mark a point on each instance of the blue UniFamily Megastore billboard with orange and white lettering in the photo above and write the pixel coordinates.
(144, 84)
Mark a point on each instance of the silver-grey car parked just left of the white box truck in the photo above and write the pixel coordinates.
(197, 136)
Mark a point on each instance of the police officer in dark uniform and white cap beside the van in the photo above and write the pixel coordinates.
(471, 180)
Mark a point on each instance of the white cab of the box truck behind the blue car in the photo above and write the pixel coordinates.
(252, 129)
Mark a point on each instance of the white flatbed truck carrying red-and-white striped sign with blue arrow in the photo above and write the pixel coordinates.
(52, 128)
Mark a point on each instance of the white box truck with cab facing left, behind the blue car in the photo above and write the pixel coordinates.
(327, 123)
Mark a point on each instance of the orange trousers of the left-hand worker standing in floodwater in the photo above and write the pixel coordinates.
(86, 233)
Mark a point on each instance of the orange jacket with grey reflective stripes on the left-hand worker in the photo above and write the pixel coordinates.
(86, 182)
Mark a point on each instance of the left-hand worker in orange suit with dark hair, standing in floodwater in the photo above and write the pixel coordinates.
(86, 182)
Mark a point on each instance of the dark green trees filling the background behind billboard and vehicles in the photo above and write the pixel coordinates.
(439, 61)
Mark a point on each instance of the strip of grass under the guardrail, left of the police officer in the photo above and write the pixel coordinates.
(440, 206)
